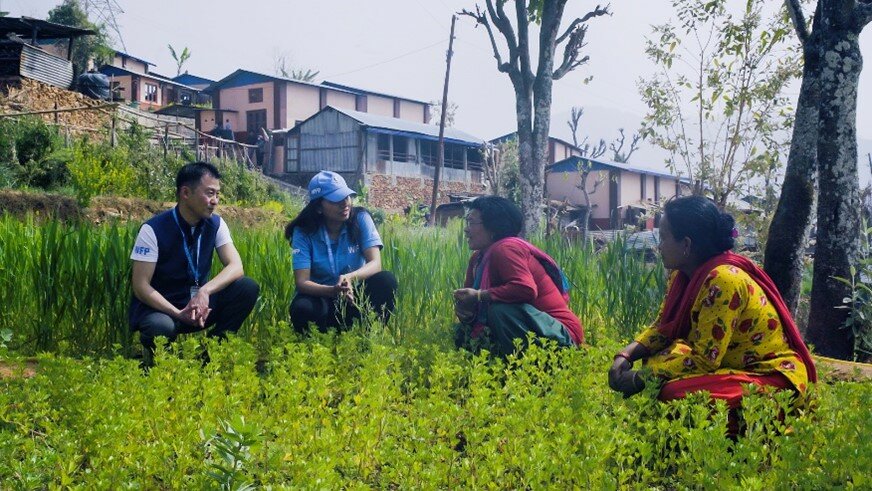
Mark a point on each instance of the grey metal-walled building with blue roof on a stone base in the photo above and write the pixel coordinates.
(394, 158)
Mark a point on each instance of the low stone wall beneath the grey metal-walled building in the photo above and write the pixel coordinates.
(396, 193)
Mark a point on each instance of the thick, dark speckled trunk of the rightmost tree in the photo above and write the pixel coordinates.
(839, 197)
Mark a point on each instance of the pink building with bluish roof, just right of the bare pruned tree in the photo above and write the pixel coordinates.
(619, 193)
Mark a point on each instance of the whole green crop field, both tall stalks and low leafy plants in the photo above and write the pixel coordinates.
(392, 406)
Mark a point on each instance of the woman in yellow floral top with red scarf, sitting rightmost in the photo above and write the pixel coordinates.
(723, 323)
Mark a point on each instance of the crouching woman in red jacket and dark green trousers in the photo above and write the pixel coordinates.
(512, 288)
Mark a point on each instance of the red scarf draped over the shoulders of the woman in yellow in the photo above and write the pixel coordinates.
(675, 321)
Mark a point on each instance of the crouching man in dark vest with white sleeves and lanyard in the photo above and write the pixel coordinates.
(172, 258)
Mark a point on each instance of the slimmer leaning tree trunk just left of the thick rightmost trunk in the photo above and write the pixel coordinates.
(789, 228)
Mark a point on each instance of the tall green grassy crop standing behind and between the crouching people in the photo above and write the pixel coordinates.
(65, 287)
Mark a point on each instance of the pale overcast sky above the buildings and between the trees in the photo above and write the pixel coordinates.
(398, 47)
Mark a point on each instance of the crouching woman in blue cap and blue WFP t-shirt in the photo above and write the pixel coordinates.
(335, 245)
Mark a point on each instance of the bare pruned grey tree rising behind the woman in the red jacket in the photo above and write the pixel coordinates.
(532, 84)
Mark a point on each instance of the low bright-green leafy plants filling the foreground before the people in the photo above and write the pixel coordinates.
(346, 412)
